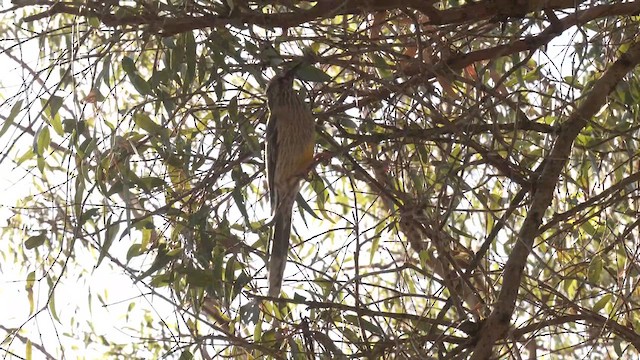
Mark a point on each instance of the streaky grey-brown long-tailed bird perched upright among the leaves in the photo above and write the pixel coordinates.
(289, 153)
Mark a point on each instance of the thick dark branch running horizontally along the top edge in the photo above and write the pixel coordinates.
(167, 26)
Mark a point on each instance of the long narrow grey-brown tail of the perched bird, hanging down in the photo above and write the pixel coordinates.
(279, 247)
